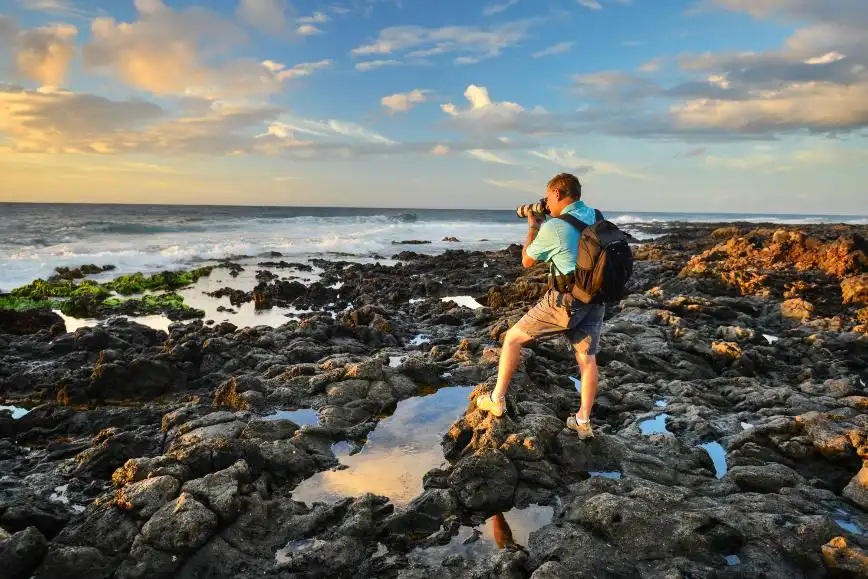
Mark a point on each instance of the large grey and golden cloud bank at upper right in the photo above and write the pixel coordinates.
(816, 82)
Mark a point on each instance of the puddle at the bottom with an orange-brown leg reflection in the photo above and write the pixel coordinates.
(498, 532)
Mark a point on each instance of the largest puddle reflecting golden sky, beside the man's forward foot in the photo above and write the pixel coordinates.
(400, 450)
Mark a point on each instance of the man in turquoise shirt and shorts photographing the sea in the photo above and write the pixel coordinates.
(555, 241)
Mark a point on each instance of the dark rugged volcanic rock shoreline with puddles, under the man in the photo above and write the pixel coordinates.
(731, 424)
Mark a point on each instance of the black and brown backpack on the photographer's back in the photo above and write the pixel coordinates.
(604, 263)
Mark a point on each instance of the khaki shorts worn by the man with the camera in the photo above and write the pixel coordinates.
(560, 314)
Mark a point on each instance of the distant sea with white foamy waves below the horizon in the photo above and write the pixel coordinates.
(36, 238)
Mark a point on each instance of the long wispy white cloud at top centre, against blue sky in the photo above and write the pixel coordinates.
(472, 43)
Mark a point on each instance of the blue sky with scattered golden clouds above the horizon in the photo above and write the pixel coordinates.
(746, 106)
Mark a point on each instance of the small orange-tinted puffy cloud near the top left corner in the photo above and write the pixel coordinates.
(40, 54)
